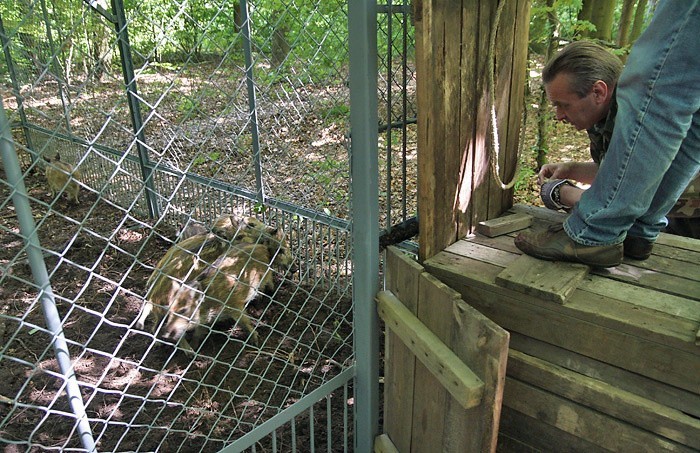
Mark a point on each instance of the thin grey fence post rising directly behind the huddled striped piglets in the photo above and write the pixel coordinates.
(252, 103)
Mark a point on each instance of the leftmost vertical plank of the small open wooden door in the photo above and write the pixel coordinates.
(399, 362)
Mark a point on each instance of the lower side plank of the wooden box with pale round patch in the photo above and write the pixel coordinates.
(581, 421)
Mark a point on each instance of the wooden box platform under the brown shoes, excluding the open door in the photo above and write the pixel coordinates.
(609, 361)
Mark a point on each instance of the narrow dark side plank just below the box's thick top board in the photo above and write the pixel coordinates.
(637, 384)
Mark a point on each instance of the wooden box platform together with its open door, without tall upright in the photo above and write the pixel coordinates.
(598, 360)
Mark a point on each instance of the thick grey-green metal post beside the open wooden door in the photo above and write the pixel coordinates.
(362, 23)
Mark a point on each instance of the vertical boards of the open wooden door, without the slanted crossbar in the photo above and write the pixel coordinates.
(424, 416)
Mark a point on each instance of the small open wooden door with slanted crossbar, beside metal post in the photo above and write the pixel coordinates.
(438, 383)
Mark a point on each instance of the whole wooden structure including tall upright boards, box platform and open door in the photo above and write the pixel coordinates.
(596, 360)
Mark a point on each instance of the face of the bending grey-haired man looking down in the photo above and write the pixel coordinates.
(582, 113)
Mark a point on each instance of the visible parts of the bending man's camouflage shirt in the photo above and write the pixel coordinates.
(687, 206)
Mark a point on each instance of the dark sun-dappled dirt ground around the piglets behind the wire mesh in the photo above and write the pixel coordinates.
(141, 393)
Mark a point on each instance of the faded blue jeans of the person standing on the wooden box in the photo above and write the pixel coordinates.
(654, 151)
